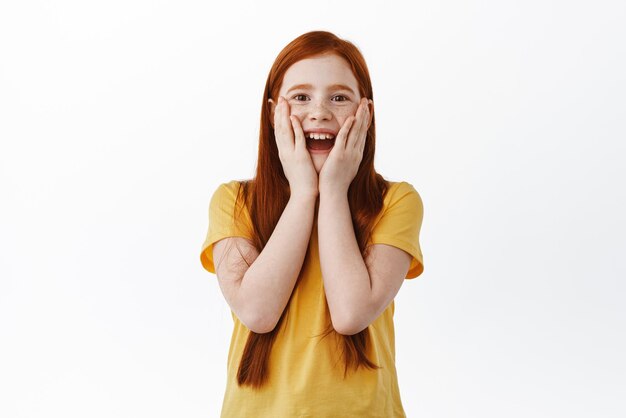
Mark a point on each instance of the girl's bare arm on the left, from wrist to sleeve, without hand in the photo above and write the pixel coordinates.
(258, 294)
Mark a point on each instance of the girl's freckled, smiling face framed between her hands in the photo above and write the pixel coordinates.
(322, 93)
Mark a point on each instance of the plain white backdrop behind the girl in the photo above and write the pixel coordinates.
(119, 119)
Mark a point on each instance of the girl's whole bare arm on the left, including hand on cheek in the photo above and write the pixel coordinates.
(258, 294)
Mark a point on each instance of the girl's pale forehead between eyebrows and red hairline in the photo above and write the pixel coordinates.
(320, 71)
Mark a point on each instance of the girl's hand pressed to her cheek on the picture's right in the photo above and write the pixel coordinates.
(344, 159)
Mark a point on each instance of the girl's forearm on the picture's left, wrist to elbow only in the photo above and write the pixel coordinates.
(269, 281)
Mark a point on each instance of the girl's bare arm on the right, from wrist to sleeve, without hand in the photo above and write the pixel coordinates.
(357, 292)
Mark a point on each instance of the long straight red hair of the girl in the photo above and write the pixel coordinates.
(266, 195)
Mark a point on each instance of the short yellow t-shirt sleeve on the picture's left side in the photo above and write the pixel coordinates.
(224, 221)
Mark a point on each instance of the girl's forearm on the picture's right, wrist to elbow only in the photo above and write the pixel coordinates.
(346, 278)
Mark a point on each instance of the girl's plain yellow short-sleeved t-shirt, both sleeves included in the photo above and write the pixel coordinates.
(306, 372)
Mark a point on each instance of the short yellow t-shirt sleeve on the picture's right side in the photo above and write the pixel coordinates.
(400, 222)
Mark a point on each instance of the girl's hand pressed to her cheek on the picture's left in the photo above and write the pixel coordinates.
(294, 156)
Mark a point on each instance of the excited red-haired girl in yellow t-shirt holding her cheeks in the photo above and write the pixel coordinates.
(310, 253)
